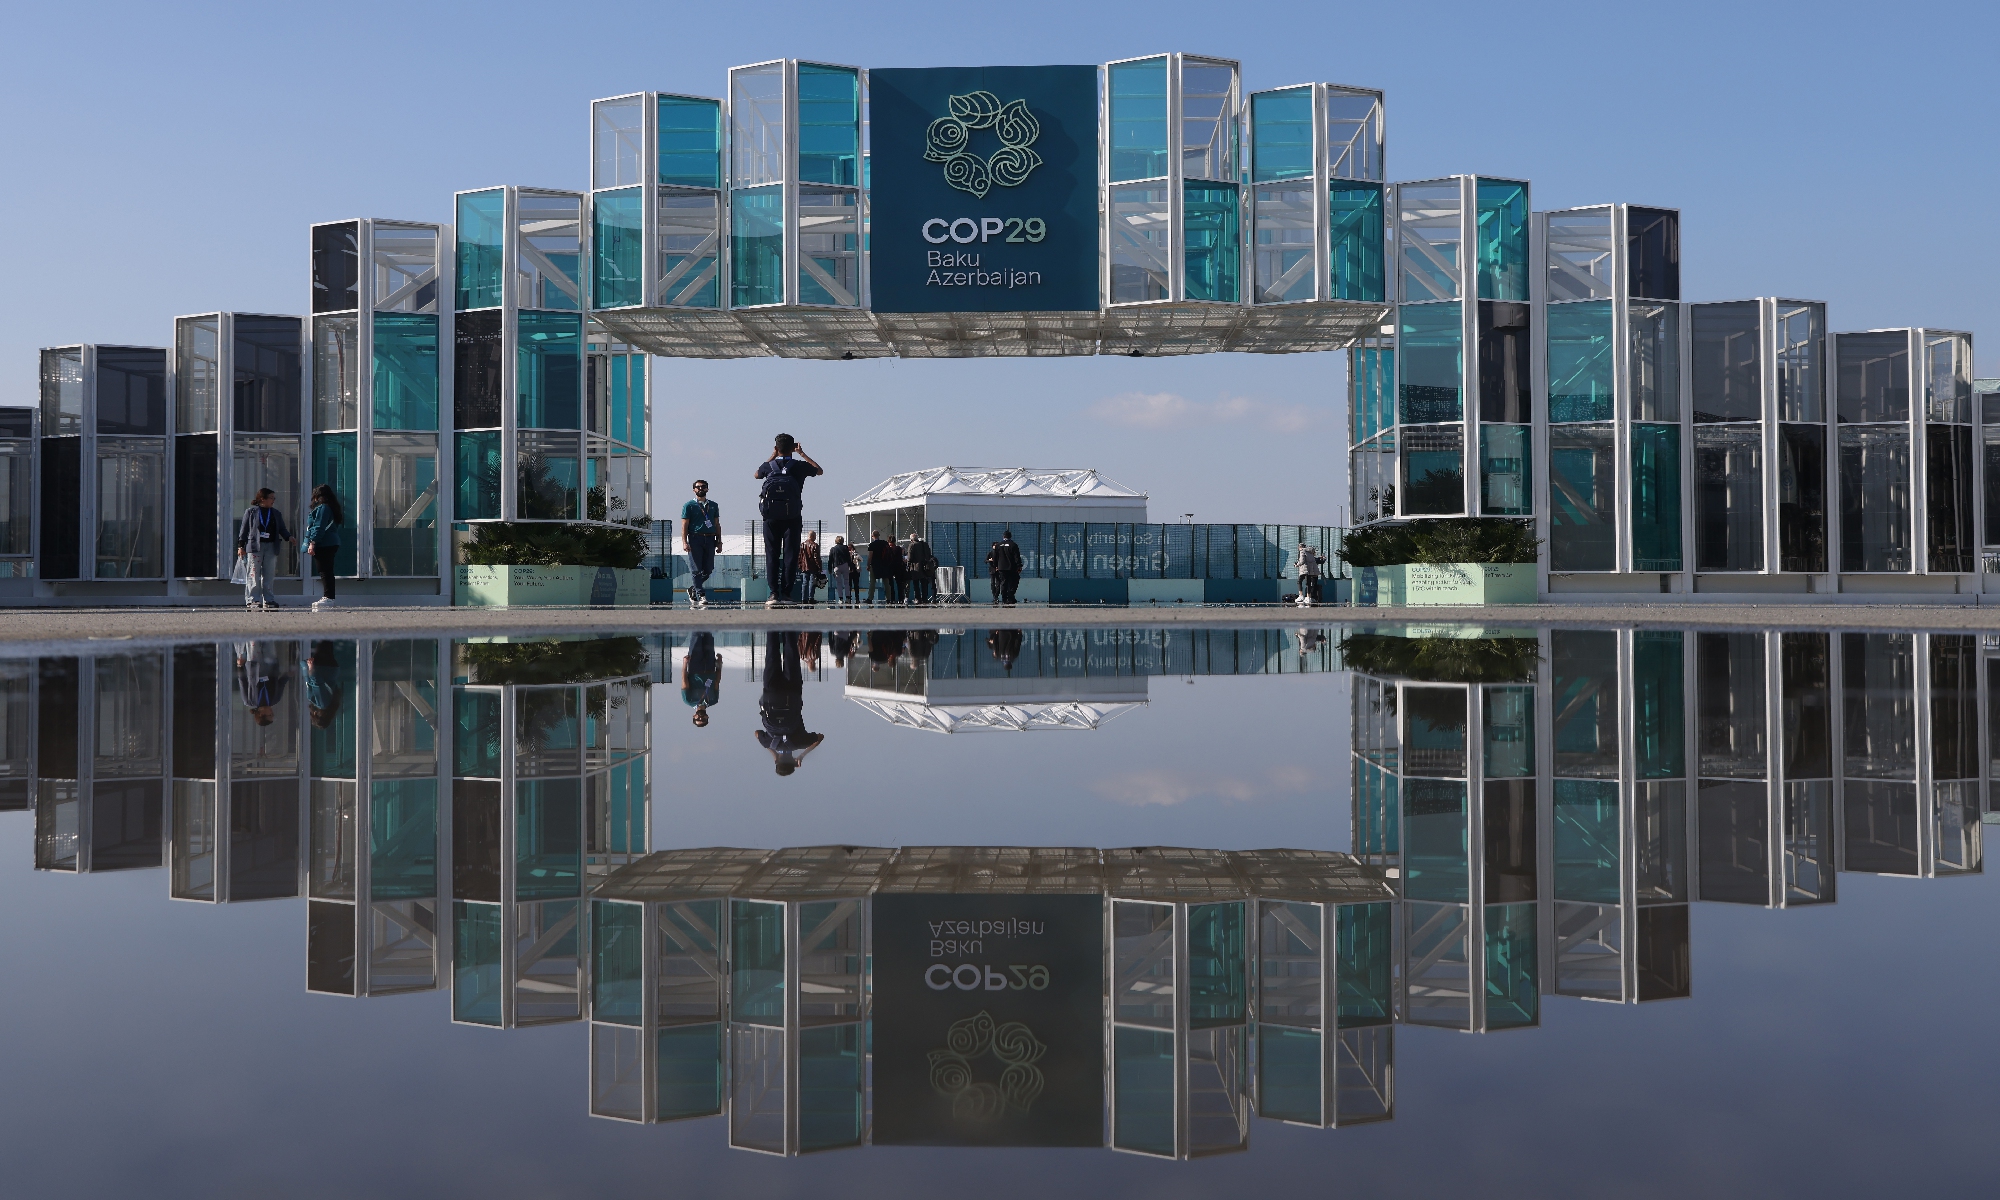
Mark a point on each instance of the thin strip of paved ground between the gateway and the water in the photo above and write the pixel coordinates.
(155, 625)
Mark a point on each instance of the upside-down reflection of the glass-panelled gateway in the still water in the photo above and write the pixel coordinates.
(1533, 815)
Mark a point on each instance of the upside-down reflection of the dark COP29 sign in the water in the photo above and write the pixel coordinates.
(989, 1021)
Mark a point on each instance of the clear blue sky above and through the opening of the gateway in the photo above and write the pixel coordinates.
(167, 161)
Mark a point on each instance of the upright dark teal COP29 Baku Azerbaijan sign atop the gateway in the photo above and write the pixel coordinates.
(983, 189)
